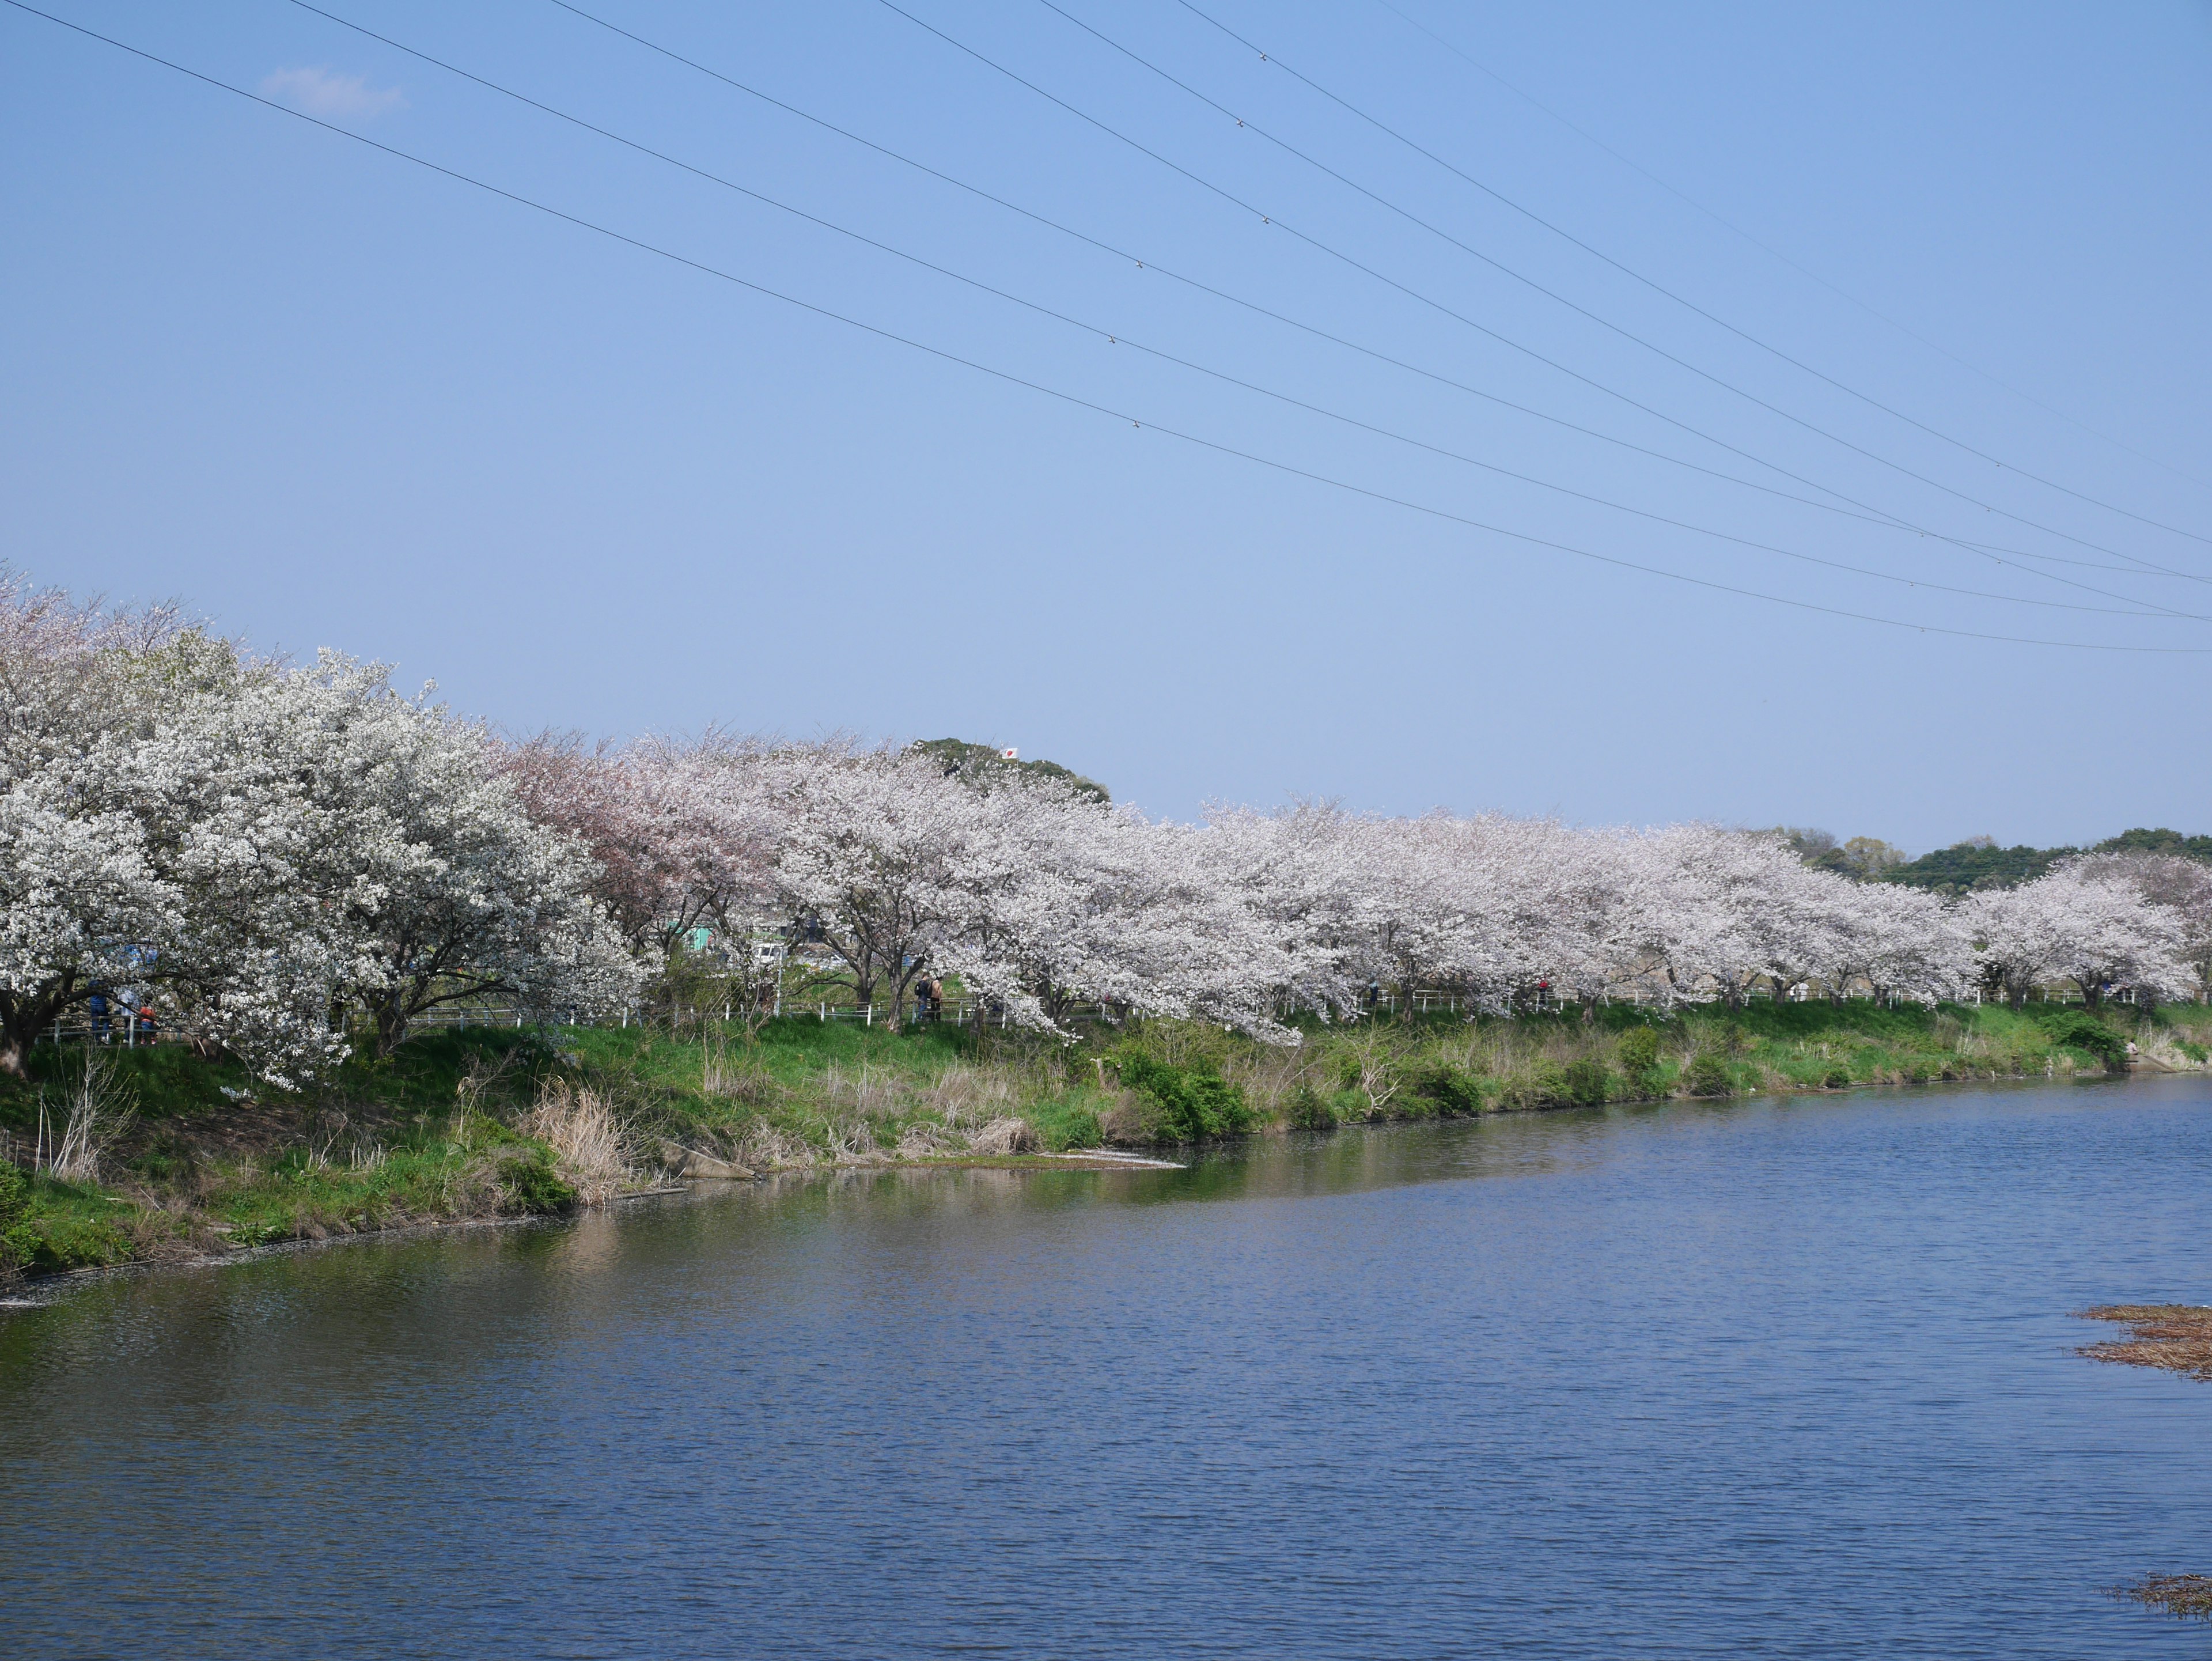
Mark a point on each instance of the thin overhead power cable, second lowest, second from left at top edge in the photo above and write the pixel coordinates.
(2136, 609)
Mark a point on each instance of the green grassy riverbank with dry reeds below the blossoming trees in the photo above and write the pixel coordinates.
(497, 1122)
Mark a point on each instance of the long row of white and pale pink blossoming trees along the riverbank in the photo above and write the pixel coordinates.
(282, 859)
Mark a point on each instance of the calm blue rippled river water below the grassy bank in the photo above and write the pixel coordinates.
(1782, 1379)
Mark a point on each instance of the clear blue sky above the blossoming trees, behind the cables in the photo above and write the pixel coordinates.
(337, 401)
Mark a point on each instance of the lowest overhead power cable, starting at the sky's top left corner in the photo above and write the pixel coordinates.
(1076, 399)
